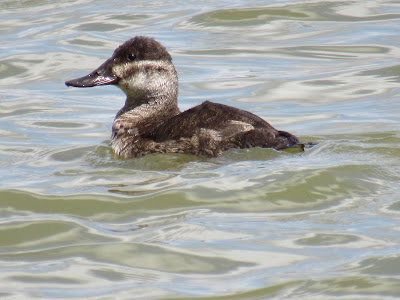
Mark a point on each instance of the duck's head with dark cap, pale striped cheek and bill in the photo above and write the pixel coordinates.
(141, 67)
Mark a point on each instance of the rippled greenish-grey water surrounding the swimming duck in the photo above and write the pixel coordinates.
(77, 222)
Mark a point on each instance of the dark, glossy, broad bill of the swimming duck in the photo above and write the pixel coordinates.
(103, 75)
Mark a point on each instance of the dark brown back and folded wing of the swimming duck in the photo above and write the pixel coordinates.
(212, 128)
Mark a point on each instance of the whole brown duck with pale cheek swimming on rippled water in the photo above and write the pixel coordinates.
(151, 121)
